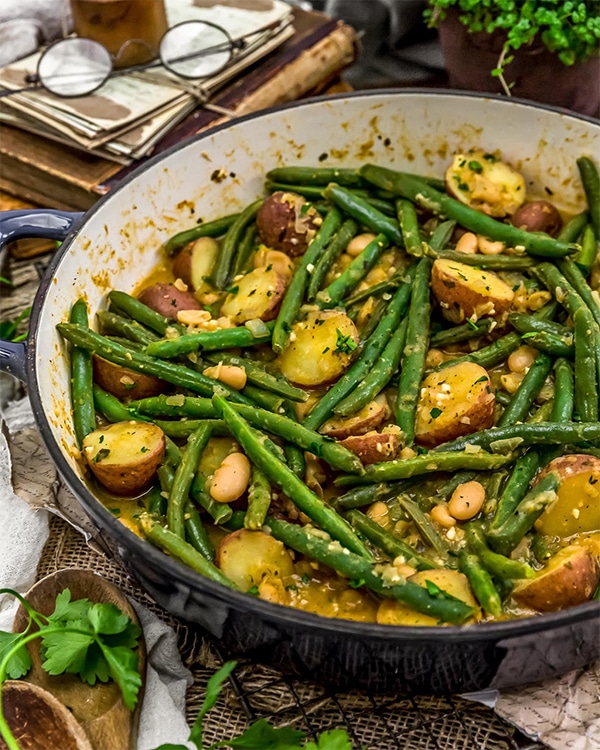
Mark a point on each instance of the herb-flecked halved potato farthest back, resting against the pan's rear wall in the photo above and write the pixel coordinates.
(483, 182)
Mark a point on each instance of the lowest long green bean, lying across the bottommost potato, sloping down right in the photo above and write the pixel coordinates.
(357, 568)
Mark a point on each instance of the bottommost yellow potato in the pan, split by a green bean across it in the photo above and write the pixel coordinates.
(456, 584)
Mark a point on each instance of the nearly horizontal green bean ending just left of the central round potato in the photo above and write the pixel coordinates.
(224, 338)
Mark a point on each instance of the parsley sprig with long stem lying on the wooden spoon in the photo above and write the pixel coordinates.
(95, 641)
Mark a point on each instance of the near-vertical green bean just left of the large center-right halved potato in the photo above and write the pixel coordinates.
(413, 360)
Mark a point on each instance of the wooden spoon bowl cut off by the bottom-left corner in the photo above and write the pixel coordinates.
(37, 719)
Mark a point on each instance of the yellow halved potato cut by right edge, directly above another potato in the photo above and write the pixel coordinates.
(577, 508)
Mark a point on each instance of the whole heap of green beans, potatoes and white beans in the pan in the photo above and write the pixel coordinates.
(370, 394)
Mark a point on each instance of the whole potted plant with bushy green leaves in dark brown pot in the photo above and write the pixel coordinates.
(546, 50)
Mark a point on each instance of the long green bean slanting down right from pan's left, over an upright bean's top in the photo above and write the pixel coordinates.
(119, 355)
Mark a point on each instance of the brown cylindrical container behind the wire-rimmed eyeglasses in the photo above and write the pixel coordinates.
(130, 30)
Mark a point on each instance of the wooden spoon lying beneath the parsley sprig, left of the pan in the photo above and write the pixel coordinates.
(99, 708)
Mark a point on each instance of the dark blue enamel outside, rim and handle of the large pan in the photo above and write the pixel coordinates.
(340, 652)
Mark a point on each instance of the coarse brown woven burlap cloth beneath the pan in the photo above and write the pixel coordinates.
(375, 722)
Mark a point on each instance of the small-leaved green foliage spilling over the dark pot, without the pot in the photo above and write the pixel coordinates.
(570, 28)
